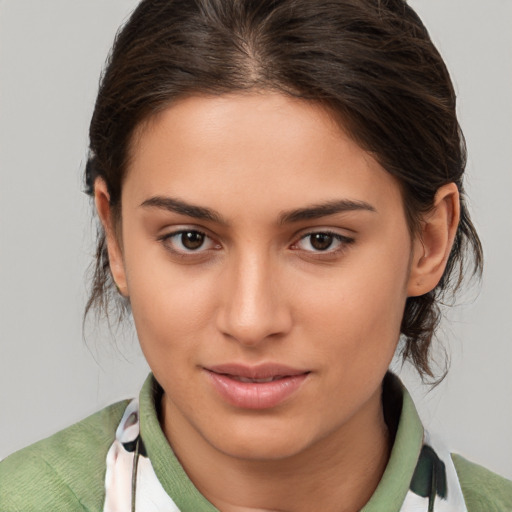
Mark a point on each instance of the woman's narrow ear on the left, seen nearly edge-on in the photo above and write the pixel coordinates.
(115, 254)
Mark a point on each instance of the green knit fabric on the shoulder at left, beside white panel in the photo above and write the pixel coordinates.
(65, 471)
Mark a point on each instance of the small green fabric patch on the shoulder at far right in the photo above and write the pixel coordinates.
(484, 491)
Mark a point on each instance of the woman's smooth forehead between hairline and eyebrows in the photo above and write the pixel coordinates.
(235, 149)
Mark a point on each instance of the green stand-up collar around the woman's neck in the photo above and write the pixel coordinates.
(389, 494)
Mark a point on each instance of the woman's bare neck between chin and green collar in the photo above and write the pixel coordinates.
(338, 473)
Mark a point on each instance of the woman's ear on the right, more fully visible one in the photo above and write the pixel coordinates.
(432, 246)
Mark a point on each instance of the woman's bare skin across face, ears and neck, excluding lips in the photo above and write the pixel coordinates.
(259, 291)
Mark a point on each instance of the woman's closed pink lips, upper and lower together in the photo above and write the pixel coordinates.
(256, 395)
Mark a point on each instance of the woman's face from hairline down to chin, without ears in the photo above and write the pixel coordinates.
(266, 257)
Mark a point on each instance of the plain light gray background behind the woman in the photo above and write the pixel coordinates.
(51, 54)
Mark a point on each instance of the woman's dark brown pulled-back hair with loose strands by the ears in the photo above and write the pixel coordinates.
(371, 62)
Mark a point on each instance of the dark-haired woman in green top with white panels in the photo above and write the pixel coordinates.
(280, 190)
